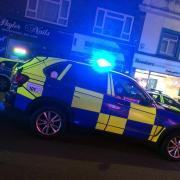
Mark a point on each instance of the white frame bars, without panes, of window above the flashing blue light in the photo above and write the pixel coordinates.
(106, 11)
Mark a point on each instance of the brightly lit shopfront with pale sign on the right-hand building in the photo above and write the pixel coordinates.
(156, 73)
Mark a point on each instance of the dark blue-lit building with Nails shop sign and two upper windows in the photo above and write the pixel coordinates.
(72, 28)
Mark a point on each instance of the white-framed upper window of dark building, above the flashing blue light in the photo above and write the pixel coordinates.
(113, 24)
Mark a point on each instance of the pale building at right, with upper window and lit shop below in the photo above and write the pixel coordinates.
(157, 61)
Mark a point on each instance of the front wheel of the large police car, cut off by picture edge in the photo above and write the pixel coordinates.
(170, 147)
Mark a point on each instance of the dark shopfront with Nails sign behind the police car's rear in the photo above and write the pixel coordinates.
(34, 38)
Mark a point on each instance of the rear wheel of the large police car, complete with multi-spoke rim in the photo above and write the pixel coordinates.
(48, 122)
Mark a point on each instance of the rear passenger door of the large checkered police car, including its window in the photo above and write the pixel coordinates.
(87, 104)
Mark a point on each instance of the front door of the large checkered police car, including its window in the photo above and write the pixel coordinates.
(133, 108)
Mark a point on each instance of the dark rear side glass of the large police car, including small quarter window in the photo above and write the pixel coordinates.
(78, 75)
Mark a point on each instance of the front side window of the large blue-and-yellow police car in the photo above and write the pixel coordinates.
(128, 90)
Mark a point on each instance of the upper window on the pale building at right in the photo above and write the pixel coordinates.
(168, 44)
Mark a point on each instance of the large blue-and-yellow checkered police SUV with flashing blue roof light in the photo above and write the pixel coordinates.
(56, 93)
